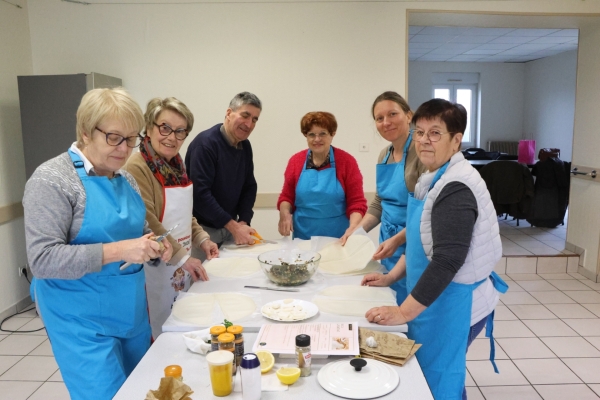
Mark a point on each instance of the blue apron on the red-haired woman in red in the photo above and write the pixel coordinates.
(320, 203)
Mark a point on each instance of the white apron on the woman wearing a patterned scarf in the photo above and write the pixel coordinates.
(164, 282)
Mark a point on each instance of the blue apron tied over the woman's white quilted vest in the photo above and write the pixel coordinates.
(443, 327)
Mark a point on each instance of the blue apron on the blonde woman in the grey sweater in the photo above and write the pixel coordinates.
(98, 324)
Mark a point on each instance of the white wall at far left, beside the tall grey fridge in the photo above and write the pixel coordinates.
(15, 60)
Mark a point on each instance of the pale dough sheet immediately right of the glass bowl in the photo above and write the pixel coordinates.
(354, 256)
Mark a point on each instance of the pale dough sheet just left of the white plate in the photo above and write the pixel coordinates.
(199, 309)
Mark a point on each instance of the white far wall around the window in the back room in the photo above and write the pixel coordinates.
(502, 95)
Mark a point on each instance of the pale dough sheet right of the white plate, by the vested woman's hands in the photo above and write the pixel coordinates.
(353, 300)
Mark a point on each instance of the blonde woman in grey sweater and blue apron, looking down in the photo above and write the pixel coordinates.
(84, 217)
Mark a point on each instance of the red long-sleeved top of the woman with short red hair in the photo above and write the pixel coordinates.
(347, 173)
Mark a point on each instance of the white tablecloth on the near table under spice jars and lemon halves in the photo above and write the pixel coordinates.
(169, 349)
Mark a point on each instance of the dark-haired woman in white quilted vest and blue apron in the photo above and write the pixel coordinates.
(453, 244)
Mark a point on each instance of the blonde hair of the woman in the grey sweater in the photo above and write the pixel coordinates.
(98, 105)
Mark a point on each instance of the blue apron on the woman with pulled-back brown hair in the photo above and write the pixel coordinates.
(391, 188)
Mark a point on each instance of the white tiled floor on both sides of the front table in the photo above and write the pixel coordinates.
(547, 346)
